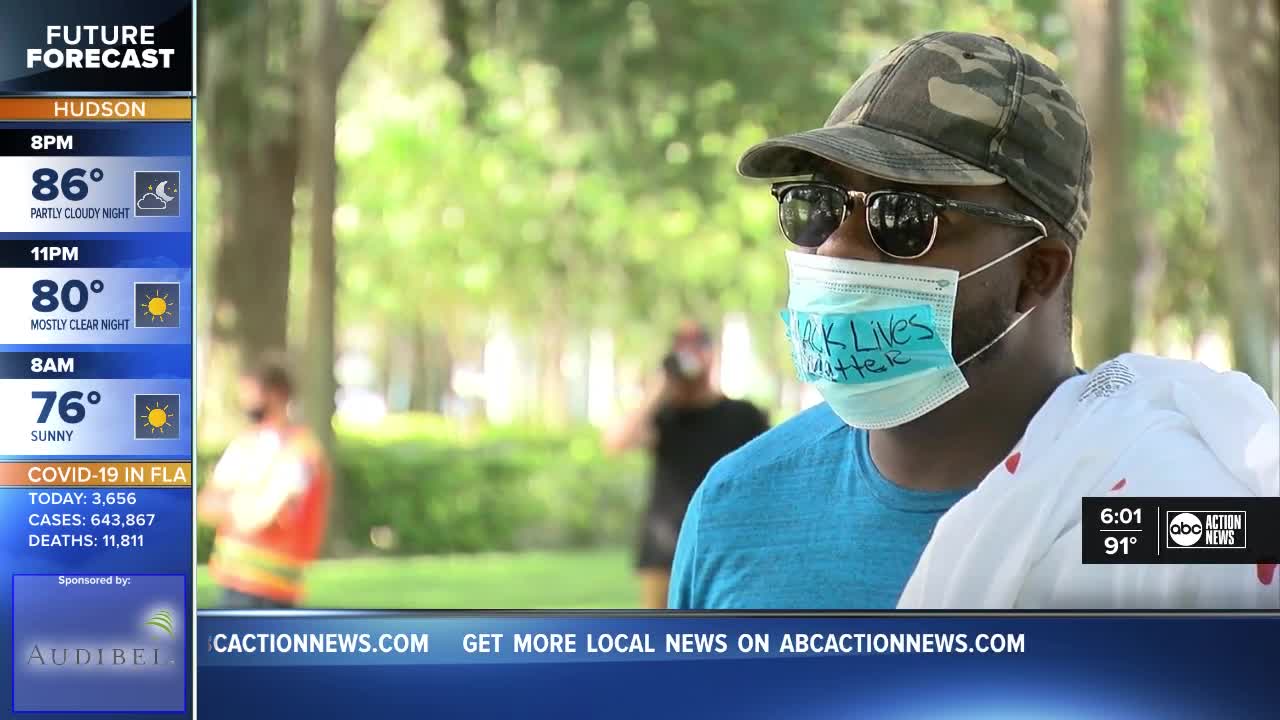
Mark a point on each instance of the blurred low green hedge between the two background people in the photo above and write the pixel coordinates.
(418, 485)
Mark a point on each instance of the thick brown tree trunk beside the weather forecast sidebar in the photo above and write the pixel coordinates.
(254, 151)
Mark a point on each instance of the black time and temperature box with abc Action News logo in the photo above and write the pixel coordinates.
(1201, 531)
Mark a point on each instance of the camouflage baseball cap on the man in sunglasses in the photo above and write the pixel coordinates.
(953, 108)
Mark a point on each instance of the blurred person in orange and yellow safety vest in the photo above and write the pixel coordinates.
(268, 499)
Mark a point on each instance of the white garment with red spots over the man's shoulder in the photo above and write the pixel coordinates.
(1137, 426)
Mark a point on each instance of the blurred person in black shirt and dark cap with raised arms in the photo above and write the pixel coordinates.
(688, 425)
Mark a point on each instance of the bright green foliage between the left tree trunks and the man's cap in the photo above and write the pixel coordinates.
(582, 162)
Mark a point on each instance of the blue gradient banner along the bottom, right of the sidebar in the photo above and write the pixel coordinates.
(1101, 667)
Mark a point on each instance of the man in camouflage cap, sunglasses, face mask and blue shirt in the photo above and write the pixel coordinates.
(934, 225)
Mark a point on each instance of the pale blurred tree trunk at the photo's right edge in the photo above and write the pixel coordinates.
(1241, 40)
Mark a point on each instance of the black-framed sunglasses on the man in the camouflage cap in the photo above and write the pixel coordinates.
(903, 225)
